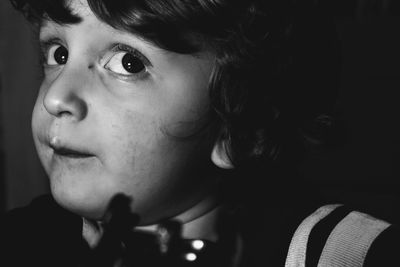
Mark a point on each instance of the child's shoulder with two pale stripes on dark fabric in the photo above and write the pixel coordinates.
(335, 235)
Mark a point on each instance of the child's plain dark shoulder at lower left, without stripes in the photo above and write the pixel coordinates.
(40, 230)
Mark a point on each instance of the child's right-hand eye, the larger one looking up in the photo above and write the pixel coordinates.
(127, 62)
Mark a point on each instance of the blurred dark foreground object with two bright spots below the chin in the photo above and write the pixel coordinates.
(120, 245)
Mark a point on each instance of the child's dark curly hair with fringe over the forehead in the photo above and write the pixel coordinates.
(277, 63)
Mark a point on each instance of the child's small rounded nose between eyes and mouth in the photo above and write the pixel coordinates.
(64, 96)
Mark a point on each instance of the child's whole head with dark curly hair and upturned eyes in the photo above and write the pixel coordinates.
(148, 97)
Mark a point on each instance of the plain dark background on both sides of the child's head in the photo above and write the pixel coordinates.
(366, 168)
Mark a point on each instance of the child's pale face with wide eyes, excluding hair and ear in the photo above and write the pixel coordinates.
(117, 114)
